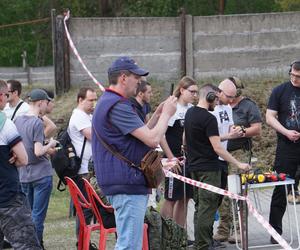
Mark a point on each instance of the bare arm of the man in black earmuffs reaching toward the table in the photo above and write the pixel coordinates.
(218, 148)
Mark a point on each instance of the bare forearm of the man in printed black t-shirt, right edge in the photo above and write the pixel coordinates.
(271, 119)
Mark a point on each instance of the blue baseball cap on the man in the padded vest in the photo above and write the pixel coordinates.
(126, 63)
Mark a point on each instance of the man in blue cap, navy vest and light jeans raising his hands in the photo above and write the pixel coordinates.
(116, 123)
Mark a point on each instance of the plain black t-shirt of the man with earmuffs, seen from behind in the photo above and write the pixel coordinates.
(199, 126)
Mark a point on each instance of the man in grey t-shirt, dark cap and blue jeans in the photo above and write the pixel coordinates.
(36, 176)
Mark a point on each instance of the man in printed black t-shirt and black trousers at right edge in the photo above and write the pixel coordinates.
(283, 114)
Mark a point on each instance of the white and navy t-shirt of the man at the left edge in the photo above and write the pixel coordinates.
(9, 177)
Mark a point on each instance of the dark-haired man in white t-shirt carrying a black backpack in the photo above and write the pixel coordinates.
(80, 127)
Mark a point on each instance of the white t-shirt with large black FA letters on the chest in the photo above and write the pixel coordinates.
(223, 113)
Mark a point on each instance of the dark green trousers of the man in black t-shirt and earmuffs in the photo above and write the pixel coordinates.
(206, 205)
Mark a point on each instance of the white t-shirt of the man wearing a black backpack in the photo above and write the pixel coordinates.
(79, 121)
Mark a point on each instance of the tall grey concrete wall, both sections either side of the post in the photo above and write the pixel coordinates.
(216, 46)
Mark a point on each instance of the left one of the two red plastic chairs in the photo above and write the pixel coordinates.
(79, 203)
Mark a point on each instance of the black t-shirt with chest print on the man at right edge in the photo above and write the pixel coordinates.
(285, 99)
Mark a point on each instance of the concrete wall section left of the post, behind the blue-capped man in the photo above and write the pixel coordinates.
(153, 42)
